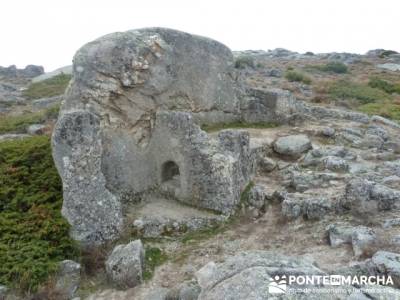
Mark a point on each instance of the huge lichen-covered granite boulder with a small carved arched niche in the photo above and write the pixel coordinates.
(130, 124)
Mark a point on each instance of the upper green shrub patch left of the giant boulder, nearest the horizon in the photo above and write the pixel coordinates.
(48, 88)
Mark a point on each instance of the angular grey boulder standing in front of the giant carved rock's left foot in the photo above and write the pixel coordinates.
(125, 264)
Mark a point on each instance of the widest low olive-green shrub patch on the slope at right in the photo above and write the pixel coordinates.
(344, 90)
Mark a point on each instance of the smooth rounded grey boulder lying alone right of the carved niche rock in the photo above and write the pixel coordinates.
(292, 145)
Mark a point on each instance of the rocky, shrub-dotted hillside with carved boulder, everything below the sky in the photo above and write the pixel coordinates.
(306, 148)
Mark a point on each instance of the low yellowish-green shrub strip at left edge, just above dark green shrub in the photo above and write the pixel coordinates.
(18, 124)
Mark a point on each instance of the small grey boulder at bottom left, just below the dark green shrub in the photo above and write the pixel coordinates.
(68, 278)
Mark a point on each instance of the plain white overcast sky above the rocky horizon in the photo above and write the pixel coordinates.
(49, 32)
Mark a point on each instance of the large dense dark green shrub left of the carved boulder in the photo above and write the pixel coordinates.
(33, 235)
